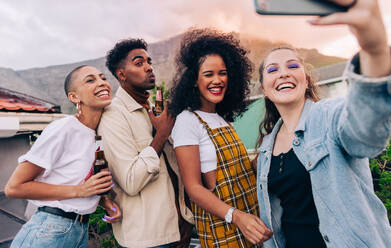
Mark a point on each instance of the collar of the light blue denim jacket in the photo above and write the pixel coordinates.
(268, 141)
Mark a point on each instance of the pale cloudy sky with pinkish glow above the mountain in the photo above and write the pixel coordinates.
(39, 33)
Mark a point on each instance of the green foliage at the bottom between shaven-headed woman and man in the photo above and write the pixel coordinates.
(100, 231)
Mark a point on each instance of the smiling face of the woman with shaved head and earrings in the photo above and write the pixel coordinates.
(90, 88)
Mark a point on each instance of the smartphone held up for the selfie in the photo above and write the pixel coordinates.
(297, 7)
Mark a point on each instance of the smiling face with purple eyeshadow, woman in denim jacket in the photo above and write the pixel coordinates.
(284, 77)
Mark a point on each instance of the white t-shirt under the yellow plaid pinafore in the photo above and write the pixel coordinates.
(188, 130)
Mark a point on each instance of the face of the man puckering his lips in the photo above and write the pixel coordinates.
(136, 71)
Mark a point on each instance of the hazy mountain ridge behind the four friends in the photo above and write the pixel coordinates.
(47, 83)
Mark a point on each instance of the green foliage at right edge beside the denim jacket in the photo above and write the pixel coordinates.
(381, 173)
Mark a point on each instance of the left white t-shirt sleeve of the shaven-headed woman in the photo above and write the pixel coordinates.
(47, 149)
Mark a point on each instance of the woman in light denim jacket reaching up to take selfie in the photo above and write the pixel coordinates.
(314, 184)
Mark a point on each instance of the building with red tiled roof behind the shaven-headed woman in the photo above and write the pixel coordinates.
(21, 118)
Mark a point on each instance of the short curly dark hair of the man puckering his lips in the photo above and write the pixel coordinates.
(118, 54)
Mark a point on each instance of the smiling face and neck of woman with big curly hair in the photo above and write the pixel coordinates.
(212, 82)
